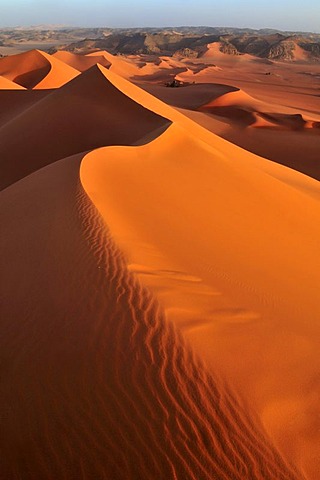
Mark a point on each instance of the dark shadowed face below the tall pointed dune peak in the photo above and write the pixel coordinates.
(86, 113)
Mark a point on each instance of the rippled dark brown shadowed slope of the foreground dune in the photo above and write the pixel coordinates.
(98, 384)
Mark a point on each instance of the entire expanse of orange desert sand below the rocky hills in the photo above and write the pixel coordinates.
(159, 278)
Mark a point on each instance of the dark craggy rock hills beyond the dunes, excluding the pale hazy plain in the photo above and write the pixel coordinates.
(273, 46)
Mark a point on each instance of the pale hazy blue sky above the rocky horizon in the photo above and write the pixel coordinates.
(279, 14)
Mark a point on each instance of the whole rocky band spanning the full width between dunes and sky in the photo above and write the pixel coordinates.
(180, 41)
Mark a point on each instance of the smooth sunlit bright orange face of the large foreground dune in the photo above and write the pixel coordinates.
(234, 222)
